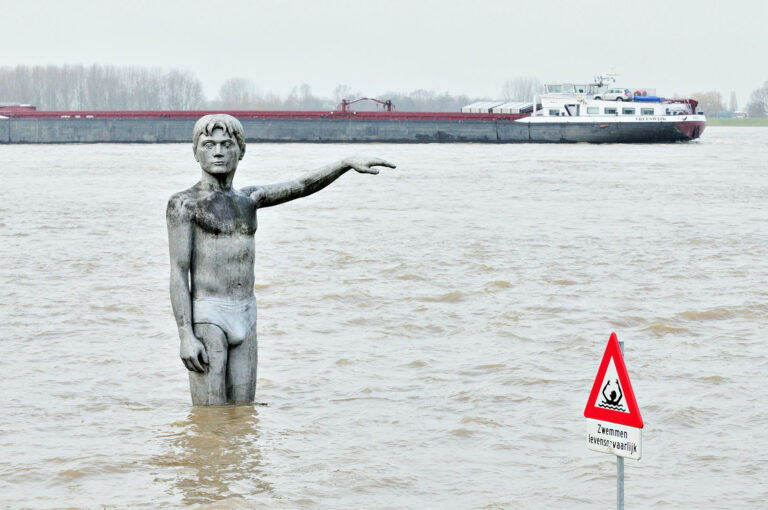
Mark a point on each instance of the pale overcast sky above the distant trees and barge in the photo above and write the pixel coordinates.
(466, 46)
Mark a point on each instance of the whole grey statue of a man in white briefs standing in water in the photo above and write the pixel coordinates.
(210, 233)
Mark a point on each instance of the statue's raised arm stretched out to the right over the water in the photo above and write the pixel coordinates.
(274, 194)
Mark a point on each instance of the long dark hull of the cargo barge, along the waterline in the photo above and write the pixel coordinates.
(349, 130)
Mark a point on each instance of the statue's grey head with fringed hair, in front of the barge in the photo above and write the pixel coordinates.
(218, 142)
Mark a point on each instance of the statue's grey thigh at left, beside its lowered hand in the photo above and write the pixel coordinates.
(209, 387)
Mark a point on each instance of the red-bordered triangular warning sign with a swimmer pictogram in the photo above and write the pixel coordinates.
(612, 398)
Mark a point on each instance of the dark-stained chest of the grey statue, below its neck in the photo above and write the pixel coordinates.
(226, 214)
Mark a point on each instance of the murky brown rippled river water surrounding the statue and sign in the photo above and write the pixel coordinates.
(428, 336)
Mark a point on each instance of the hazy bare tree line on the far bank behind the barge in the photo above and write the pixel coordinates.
(106, 87)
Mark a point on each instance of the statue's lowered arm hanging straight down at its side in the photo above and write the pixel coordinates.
(179, 219)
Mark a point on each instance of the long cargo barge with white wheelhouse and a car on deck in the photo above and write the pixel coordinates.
(556, 118)
